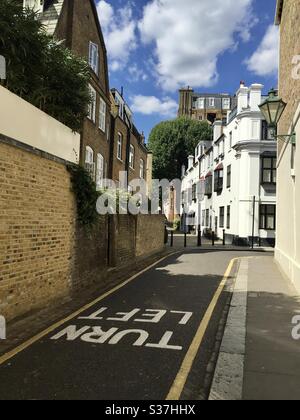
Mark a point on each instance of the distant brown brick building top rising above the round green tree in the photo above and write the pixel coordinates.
(205, 106)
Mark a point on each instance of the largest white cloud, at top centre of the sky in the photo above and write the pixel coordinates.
(190, 35)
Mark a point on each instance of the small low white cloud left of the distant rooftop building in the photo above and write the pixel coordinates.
(149, 105)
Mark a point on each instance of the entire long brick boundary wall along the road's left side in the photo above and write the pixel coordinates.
(44, 254)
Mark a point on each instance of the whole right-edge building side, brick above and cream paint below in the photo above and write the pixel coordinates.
(288, 208)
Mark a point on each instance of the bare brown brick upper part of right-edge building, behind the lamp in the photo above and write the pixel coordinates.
(289, 89)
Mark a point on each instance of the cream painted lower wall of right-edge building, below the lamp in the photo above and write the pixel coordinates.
(288, 210)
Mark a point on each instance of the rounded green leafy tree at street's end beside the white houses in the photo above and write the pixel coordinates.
(171, 142)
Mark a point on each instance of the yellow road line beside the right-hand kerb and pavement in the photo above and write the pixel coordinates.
(185, 369)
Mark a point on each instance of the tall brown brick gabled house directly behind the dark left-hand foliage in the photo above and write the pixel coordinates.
(76, 23)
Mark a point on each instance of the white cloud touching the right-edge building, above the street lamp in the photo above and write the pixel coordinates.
(265, 60)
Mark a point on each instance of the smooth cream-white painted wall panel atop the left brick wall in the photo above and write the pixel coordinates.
(23, 122)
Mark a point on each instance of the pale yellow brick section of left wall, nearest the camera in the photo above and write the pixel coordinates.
(36, 230)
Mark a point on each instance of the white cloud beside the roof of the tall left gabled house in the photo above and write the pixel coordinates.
(119, 30)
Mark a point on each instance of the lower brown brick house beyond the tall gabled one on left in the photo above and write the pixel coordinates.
(128, 150)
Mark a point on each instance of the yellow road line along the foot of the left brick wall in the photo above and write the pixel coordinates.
(58, 324)
